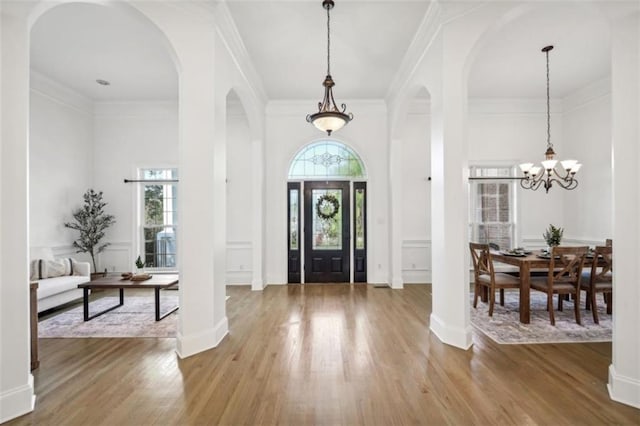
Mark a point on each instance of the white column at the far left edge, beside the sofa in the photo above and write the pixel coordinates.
(16, 382)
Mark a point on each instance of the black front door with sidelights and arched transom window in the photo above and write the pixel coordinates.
(326, 196)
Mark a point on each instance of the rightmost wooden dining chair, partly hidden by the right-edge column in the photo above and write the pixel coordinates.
(599, 279)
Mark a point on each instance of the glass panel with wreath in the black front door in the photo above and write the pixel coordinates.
(327, 219)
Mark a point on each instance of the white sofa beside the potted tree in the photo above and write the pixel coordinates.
(56, 291)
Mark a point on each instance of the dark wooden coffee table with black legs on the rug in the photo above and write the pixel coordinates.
(156, 282)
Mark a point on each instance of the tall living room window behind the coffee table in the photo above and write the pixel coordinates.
(159, 217)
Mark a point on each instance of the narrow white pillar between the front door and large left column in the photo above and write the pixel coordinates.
(257, 215)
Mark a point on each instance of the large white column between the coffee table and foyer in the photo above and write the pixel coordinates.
(202, 204)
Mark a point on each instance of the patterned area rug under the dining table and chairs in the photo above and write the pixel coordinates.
(505, 326)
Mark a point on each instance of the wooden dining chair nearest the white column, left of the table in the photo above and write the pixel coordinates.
(486, 277)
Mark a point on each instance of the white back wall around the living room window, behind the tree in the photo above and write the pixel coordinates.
(128, 136)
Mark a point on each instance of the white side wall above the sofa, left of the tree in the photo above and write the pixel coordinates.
(60, 161)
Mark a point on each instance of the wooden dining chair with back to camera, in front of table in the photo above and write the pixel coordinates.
(563, 278)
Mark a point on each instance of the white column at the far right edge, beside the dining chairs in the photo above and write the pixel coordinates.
(624, 372)
